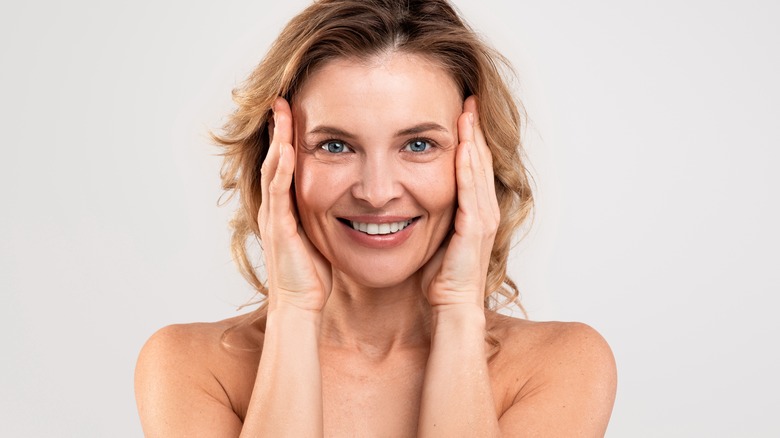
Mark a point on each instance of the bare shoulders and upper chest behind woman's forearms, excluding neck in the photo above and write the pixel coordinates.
(558, 379)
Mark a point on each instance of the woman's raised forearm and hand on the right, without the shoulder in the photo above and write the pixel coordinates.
(457, 398)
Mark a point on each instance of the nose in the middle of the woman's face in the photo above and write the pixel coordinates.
(377, 184)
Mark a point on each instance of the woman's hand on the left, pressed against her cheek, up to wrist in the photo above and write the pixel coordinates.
(298, 274)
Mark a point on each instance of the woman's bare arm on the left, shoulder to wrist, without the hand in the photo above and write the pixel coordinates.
(179, 396)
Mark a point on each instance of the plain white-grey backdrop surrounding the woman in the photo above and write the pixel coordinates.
(654, 141)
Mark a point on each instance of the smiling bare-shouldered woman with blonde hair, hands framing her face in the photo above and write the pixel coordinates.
(375, 151)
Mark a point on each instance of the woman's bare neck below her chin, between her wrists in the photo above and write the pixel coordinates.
(375, 321)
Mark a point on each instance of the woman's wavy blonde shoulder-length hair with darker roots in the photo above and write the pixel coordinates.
(360, 29)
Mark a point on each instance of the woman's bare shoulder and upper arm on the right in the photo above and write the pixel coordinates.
(560, 376)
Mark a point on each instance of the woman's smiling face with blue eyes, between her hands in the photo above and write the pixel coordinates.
(375, 173)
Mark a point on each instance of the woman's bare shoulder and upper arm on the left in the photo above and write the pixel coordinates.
(180, 382)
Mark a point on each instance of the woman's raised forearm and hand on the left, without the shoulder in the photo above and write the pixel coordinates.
(287, 394)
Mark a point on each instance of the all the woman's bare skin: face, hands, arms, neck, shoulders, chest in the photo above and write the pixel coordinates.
(377, 335)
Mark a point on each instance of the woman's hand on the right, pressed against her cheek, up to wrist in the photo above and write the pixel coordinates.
(457, 273)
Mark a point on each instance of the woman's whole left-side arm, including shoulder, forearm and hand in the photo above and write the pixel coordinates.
(177, 393)
